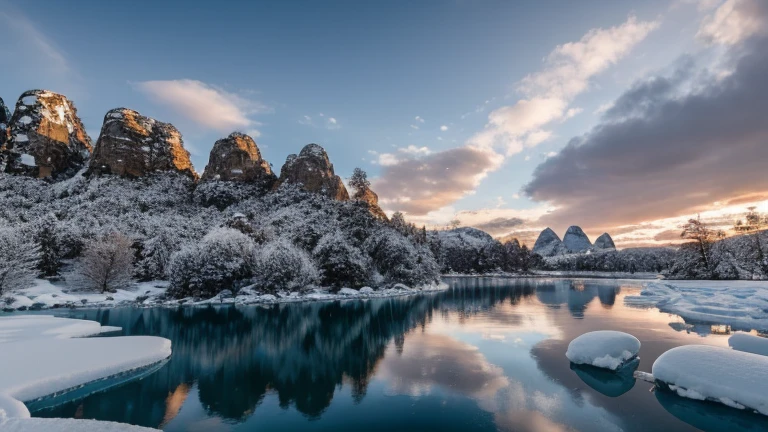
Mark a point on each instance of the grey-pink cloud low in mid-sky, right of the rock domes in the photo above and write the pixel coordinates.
(418, 185)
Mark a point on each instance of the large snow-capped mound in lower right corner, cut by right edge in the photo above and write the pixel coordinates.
(733, 378)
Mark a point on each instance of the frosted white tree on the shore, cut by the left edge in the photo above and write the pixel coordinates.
(19, 257)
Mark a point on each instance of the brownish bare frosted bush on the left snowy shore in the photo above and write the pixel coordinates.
(106, 264)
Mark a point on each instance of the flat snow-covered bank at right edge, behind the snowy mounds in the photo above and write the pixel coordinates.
(740, 304)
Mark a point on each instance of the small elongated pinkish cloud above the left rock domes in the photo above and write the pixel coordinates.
(202, 103)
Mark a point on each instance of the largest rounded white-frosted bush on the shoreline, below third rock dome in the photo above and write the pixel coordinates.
(221, 259)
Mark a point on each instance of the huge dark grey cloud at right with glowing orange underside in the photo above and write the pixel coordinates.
(669, 146)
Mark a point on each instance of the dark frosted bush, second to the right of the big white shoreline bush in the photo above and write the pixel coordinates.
(341, 264)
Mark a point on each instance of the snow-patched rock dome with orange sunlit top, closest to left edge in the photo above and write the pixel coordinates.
(46, 138)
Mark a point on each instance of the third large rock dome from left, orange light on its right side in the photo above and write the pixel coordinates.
(237, 158)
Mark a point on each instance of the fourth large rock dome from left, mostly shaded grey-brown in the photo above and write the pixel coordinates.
(314, 172)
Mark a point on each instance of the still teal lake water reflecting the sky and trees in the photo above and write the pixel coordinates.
(485, 355)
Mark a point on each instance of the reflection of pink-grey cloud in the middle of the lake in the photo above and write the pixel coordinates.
(437, 360)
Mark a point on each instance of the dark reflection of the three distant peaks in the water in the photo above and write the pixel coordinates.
(576, 294)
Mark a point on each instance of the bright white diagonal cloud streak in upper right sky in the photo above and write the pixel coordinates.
(567, 72)
